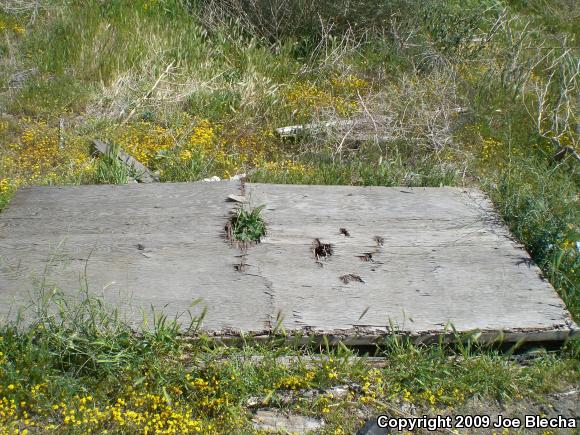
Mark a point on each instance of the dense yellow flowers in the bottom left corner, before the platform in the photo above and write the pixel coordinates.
(193, 404)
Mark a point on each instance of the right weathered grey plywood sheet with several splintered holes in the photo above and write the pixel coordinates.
(445, 259)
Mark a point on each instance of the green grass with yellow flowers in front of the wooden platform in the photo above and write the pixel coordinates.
(87, 363)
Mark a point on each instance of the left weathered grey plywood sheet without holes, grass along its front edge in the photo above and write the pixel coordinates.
(99, 229)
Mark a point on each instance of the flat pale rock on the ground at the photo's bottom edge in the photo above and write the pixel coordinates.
(273, 420)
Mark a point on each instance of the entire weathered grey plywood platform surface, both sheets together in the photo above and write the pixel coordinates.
(438, 256)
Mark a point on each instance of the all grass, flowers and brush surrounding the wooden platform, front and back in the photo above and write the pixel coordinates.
(407, 92)
